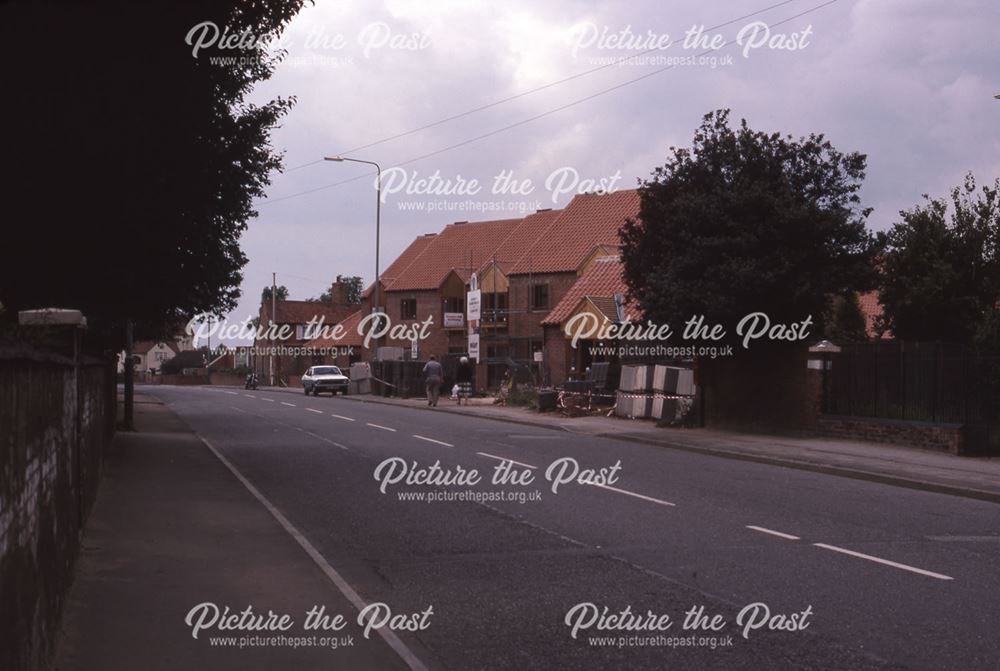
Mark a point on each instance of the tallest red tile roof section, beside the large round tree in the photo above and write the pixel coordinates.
(588, 221)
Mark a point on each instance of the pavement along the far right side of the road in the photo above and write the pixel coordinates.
(903, 466)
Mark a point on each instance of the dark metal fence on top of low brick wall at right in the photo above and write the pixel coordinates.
(917, 381)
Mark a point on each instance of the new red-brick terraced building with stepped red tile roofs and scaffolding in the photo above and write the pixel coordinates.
(534, 273)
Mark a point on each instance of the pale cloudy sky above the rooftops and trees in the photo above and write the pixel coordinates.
(908, 82)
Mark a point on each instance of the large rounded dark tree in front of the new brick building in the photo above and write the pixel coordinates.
(747, 221)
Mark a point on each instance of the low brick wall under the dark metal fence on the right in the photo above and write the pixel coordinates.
(927, 435)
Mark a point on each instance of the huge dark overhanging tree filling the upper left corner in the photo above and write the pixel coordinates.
(131, 164)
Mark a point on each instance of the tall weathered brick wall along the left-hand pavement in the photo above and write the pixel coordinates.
(48, 482)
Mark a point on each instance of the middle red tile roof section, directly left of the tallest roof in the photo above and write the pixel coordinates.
(458, 246)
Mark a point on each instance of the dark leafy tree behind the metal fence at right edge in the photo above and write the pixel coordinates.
(940, 269)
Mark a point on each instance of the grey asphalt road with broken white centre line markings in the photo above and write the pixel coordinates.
(852, 574)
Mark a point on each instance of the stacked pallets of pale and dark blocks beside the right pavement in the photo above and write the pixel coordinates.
(648, 391)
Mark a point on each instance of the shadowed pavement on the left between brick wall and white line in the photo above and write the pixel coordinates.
(171, 529)
